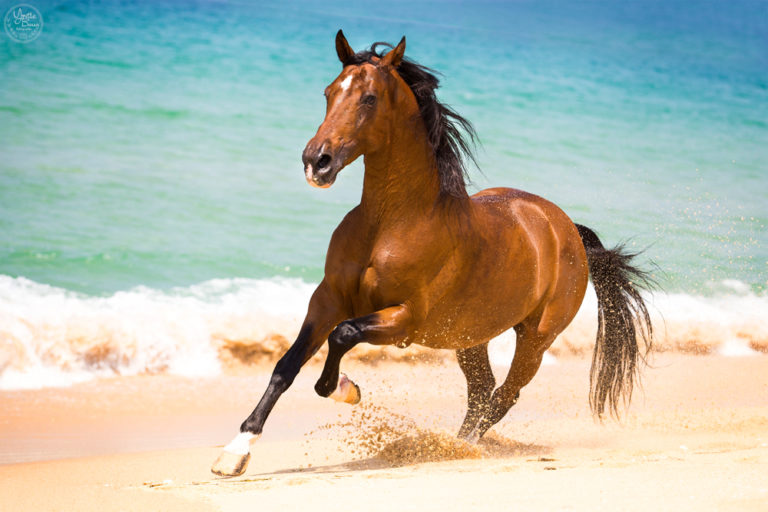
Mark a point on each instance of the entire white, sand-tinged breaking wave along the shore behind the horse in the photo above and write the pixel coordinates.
(53, 337)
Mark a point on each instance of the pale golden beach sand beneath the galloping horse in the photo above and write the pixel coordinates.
(696, 438)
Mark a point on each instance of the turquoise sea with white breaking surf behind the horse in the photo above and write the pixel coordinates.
(152, 196)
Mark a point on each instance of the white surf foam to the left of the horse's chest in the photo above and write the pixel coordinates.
(53, 337)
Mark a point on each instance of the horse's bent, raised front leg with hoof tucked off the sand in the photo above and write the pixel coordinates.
(388, 326)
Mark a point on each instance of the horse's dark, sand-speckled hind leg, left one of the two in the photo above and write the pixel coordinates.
(476, 367)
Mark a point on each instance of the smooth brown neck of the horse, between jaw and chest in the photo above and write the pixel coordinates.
(401, 180)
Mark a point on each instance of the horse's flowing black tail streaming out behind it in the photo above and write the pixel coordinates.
(624, 331)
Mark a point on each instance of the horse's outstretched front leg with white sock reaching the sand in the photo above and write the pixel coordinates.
(322, 315)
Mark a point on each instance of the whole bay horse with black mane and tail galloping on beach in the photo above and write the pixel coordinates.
(421, 261)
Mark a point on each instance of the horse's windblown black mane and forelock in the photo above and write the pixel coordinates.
(444, 126)
